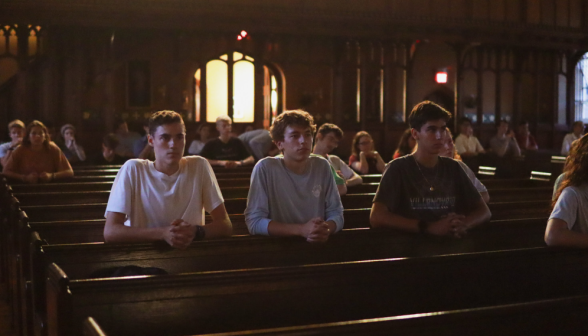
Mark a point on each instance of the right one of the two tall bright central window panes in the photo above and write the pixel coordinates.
(243, 91)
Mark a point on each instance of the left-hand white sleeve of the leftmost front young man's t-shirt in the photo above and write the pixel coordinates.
(121, 194)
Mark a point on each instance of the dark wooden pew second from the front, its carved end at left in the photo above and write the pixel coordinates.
(298, 295)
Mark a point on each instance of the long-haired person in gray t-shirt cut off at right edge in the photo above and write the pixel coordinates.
(568, 222)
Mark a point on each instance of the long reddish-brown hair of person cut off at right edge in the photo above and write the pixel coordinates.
(576, 167)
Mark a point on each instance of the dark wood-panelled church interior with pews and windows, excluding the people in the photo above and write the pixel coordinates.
(361, 65)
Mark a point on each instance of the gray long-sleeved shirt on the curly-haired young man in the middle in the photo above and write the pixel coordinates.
(276, 193)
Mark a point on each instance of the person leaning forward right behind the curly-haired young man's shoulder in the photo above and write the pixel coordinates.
(327, 139)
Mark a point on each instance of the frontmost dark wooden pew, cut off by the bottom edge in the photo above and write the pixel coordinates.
(561, 316)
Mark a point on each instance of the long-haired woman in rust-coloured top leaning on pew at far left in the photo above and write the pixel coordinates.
(38, 159)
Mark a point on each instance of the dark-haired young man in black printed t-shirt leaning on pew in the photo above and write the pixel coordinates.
(424, 192)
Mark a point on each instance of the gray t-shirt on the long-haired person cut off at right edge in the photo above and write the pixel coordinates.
(572, 208)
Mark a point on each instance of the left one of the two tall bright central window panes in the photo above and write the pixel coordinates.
(217, 92)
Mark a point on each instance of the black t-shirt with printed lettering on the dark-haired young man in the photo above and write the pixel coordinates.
(406, 192)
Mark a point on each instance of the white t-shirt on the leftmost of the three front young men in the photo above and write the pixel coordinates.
(151, 198)
